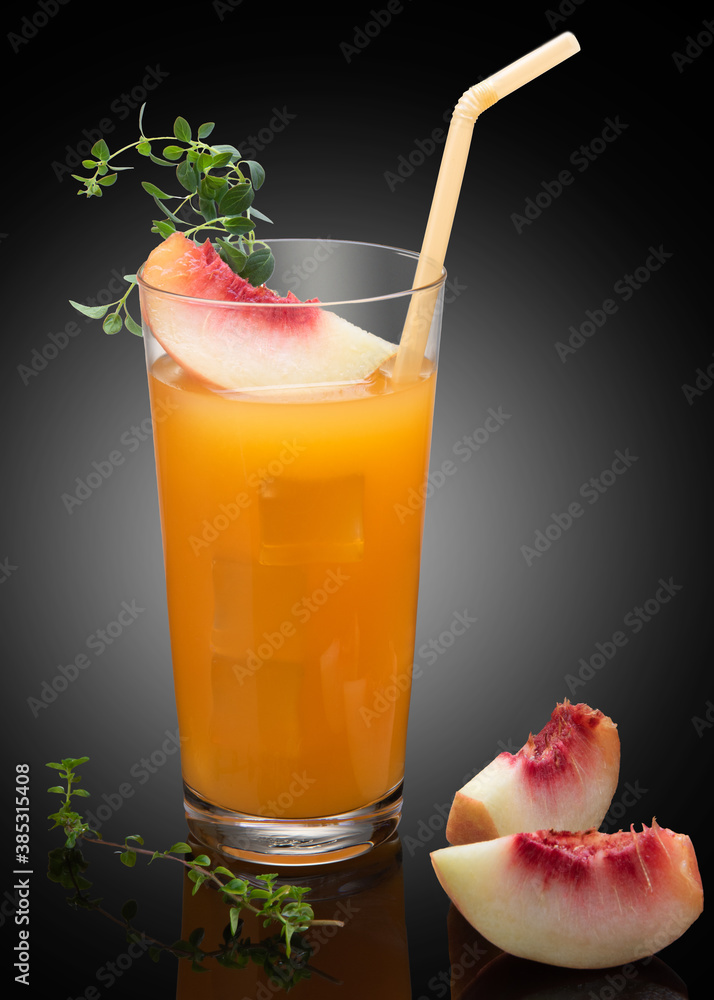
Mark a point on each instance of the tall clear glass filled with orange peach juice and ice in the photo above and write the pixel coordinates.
(292, 543)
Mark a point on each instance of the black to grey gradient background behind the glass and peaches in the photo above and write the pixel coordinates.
(513, 296)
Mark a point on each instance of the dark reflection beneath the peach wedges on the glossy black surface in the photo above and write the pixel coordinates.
(480, 971)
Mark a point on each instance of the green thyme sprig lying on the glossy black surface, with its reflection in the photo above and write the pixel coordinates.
(283, 904)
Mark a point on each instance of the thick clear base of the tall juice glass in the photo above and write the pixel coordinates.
(310, 841)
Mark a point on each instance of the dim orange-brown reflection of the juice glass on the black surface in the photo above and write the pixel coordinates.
(368, 957)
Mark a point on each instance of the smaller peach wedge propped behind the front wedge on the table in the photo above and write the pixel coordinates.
(562, 779)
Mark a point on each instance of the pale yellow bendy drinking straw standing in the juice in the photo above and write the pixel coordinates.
(448, 185)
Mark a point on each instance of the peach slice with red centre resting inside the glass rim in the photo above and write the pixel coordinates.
(269, 340)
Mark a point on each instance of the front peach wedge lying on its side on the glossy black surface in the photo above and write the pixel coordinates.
(581, 900)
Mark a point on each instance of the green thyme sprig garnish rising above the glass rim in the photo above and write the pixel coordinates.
(215, 189)
